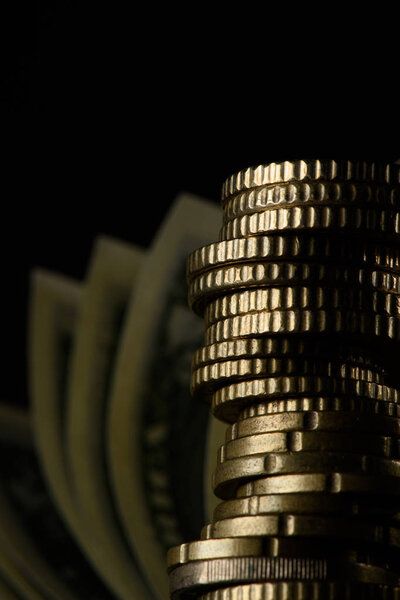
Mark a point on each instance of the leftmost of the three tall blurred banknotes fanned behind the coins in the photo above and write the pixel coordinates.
(40, 475)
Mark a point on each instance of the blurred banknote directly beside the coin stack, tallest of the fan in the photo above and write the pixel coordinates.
(156, 432)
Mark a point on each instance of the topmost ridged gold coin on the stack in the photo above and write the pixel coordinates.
(309, 170)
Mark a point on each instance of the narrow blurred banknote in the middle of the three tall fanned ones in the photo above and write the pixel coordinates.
(108, 285)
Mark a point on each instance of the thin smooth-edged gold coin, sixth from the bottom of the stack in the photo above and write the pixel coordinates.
(334, 483)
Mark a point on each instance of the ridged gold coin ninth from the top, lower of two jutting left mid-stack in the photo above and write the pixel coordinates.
(208, 379)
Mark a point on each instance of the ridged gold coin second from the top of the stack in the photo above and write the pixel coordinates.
(303, 193)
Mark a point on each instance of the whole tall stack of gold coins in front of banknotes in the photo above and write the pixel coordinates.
(301, 301)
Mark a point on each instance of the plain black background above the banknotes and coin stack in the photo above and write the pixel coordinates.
(108, 114)
